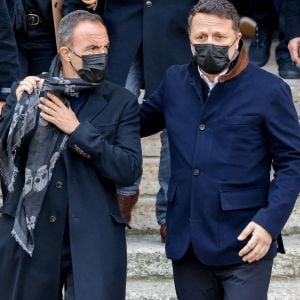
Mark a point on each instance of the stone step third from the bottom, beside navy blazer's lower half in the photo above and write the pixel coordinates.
(144, 218)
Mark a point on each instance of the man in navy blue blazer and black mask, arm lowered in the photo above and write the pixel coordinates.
(229, 122)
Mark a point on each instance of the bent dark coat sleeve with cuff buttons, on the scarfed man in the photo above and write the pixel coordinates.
(121, 161)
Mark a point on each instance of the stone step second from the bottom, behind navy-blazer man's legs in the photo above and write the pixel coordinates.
(146, 258)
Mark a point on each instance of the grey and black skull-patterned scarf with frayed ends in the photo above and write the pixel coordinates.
(43, 142)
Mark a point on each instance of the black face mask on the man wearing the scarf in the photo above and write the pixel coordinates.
(93, 67)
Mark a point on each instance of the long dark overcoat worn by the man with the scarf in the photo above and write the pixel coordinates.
(103, 151)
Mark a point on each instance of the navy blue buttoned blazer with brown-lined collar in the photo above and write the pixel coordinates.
(222, 150)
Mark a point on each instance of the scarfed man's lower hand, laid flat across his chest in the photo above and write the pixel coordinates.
(54, 111)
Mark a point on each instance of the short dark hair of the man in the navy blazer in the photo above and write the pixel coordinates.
(220, 8)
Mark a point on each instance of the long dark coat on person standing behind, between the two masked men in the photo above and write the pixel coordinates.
(161, 25)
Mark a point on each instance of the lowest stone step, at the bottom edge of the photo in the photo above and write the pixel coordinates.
(163, 289)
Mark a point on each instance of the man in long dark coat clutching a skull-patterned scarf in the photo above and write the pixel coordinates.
(67, 138)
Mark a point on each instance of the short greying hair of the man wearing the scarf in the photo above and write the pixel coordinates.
(68, 24)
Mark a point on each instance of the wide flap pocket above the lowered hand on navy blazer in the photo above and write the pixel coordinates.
(243, 199)
